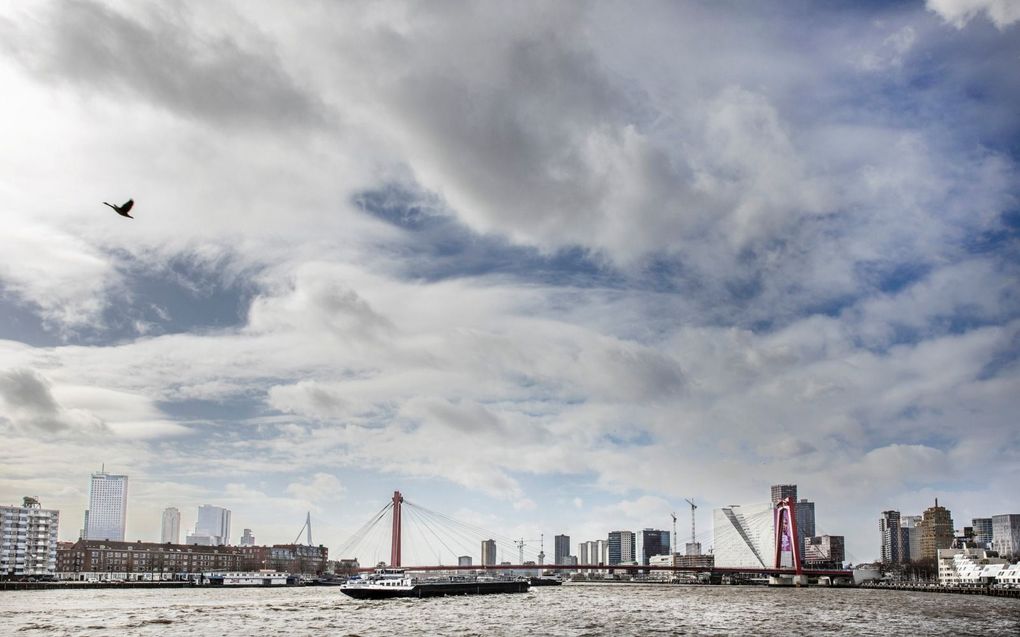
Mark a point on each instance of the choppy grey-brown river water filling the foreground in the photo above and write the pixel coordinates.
(571, 610)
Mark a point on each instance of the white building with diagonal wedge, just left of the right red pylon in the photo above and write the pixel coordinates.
(743, 537)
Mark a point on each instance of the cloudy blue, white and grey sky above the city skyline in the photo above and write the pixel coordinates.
(543, 268)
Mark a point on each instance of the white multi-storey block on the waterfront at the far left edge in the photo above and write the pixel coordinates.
(28, 540)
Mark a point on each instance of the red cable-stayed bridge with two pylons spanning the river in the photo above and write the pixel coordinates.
(440, 533)
